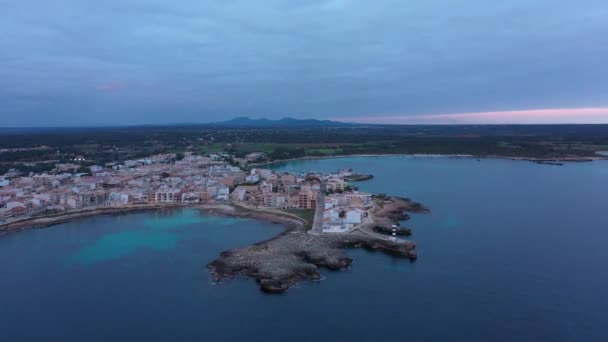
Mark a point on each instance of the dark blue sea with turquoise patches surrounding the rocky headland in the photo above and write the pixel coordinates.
(513, 251)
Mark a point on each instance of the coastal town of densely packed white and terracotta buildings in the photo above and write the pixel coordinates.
(171, 179)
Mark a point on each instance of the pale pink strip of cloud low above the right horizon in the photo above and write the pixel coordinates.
(532, 116)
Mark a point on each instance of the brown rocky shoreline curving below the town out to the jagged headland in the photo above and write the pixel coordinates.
(280, 262)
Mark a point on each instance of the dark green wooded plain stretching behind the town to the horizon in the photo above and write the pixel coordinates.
(103, 145)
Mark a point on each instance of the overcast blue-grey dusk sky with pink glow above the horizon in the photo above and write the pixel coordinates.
(125, 62)
